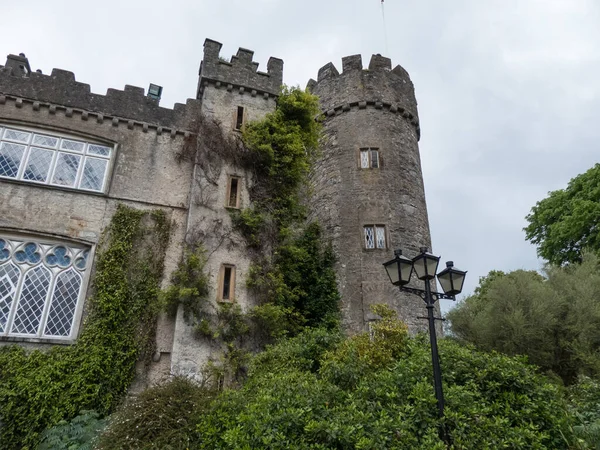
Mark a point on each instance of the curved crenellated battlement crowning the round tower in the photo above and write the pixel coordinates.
(379, 86)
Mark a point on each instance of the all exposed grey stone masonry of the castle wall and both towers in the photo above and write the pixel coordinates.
(373, 108)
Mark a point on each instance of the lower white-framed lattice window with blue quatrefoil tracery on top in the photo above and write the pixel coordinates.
(41, 287)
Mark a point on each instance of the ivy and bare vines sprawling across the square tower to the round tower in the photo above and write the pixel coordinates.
(292, 273)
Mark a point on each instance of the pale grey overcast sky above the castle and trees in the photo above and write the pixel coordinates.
(508, 90)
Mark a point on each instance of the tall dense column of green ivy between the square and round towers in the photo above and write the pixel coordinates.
(294, 277)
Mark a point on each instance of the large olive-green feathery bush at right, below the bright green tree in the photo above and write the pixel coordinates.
(555, 322)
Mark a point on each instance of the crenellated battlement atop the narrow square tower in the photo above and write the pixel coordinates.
(241, 72)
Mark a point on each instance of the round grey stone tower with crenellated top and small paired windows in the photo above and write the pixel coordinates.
(367, 186)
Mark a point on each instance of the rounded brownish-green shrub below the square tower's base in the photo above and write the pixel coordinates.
(163, 417)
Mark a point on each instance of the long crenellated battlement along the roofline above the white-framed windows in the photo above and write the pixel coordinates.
(60, 88)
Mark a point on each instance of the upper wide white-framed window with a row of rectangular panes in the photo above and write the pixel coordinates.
(46, 158)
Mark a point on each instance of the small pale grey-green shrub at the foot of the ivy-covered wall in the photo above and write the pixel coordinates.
(78, 434)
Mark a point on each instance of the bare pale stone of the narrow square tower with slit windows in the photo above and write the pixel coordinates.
(223, 88)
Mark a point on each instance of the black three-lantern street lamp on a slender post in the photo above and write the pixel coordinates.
(451, 280)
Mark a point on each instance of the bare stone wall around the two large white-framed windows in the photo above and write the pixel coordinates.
(143, 173)
